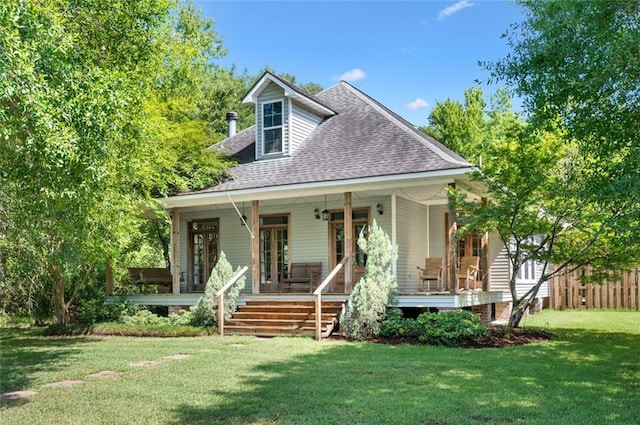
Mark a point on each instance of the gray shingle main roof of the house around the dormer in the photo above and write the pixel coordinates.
(364, 139)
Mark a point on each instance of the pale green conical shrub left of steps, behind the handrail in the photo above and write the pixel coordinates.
(205, 311)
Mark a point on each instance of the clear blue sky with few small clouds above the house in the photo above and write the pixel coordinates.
(405, 54)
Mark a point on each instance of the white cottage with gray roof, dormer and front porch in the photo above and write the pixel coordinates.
(311, 174)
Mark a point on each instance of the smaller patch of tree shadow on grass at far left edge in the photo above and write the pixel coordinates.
(25, 352)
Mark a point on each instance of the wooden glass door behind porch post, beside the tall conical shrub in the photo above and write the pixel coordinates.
(360, 223)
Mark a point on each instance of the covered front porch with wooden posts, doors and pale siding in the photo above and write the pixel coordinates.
(291, 240)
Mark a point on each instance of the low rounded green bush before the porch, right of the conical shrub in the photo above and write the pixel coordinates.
(450, 329)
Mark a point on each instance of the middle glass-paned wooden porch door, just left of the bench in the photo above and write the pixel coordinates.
(274, 250)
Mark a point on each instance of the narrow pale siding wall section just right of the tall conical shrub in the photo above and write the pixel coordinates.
(411, 225)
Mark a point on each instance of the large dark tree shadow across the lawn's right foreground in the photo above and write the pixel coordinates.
(582, 377)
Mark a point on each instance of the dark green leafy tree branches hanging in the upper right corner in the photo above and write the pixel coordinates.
(578, 62)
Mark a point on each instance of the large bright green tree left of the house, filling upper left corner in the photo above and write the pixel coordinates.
(93, 120)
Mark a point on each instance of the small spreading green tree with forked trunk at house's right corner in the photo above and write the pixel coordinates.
(535, 203)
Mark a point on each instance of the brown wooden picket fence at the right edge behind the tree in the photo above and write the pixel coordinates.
(568, 292)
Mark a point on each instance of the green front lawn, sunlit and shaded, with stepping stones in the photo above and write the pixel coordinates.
(587, 374)
